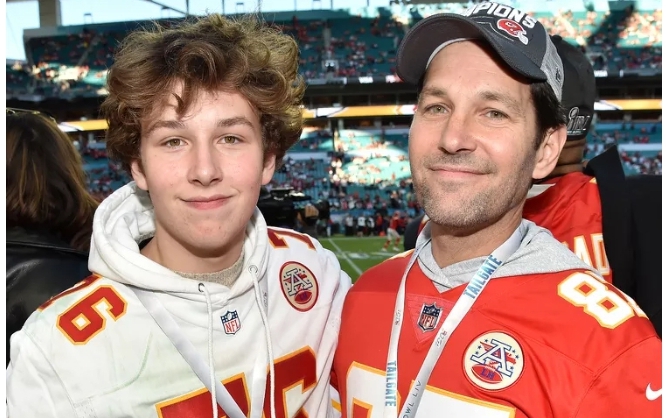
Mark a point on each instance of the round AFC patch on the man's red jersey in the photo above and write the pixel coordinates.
(493, 361)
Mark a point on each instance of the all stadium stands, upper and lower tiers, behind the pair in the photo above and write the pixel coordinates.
(359, 171)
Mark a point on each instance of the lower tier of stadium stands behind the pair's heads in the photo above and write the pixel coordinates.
(369, 168)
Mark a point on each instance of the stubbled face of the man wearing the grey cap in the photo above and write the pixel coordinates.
(471, 145)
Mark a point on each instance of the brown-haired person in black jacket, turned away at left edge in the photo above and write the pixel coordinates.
(49, 215)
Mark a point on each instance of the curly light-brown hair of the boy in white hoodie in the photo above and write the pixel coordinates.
(206, 54)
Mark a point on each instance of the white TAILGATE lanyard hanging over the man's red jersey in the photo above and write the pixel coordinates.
(460, 309)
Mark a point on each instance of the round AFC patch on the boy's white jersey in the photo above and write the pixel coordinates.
(299, 286)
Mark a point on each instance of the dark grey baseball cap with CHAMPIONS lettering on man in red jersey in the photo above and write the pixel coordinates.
(518, 38)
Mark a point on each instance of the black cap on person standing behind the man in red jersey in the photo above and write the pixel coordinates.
(579, 91)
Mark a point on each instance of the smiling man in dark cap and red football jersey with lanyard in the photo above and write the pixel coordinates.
(490, 316)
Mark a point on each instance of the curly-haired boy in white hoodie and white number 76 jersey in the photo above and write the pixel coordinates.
(196, 308)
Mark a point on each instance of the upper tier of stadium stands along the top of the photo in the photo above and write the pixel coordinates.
(342, 47)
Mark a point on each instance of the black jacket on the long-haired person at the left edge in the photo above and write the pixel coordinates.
(39, 266)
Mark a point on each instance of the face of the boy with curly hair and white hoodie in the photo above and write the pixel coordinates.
(203, 172)
